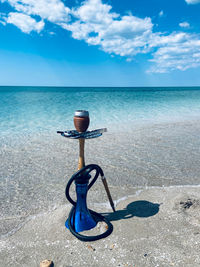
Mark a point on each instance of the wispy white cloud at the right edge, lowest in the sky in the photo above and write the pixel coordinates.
(176, 51)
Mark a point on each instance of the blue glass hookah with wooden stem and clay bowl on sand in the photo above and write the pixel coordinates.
(80, 217)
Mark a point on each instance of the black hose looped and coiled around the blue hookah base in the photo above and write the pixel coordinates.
(82, 176)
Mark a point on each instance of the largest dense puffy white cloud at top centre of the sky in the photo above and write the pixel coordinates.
(97, 25)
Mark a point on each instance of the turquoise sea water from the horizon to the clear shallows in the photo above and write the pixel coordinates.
(30, 110)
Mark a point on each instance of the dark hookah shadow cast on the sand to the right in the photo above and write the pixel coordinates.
(141, 208)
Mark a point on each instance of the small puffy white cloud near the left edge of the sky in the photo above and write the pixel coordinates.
(25, 22)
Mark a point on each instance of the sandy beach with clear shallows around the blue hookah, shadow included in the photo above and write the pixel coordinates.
(153, 173)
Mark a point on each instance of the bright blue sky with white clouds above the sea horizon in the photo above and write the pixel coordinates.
(100, 43)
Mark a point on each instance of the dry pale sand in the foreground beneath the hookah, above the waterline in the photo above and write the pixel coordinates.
(155, 227)
